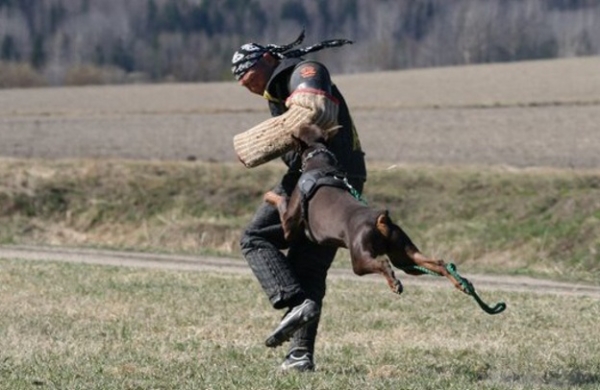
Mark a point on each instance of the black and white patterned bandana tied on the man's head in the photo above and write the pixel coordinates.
(248, 55)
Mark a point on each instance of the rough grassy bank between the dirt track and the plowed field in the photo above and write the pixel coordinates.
(543, 223)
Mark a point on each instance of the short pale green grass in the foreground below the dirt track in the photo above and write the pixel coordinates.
(71, 326)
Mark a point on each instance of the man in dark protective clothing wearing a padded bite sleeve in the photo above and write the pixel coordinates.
(298, 91)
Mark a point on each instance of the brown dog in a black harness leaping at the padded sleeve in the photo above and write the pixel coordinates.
(323, 205)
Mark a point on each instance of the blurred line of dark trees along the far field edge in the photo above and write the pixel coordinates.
(58, 42)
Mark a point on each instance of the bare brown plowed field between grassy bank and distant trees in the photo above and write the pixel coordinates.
(542, 113)
